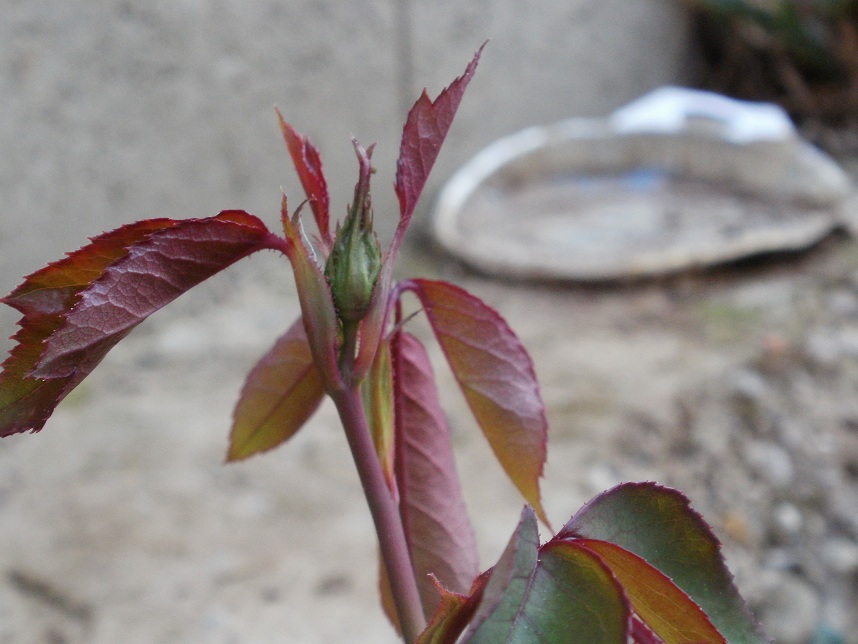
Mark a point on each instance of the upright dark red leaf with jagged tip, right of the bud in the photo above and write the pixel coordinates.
(425, 129)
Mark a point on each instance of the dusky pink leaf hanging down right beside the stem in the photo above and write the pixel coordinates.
(433, 511)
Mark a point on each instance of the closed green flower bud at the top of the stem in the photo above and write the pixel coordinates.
(355, 261)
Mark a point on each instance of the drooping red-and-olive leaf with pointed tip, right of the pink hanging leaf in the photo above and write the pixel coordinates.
(496, 376)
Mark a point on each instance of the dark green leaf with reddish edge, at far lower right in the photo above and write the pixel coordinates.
(658, 524)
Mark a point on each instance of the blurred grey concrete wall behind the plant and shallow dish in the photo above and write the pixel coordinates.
(116, 110)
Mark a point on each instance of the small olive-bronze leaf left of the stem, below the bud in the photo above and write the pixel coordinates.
(280, 394)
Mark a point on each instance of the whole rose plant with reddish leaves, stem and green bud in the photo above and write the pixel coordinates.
(634, 564)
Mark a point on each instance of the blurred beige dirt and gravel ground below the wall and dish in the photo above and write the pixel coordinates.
(119, 522)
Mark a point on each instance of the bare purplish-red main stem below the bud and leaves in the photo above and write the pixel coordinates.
(388, 526)
